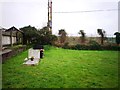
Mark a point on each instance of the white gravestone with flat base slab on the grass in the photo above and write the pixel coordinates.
(32, 53)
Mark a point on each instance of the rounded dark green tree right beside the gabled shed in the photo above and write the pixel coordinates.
(30, 34)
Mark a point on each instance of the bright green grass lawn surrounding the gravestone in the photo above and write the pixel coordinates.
(62, 68)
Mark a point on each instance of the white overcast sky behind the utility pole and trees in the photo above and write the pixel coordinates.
(20, 13)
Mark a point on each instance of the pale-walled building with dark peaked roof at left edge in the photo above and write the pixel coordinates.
(11, 36)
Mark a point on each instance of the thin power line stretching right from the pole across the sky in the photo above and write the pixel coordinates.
(89, 11)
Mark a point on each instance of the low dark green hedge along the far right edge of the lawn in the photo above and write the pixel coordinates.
(93, 45)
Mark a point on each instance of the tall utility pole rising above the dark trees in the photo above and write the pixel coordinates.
(50, 15)
